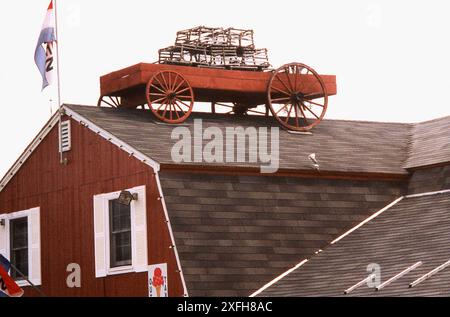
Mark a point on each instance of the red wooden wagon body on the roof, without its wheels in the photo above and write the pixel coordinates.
(208, 84)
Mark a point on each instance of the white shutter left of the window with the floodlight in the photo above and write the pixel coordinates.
(99, 236)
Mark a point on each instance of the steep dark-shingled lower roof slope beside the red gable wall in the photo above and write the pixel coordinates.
(235, 233)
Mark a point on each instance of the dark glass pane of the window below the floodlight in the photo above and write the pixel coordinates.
(119, 234)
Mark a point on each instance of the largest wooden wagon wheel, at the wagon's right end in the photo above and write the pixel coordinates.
(297, 104)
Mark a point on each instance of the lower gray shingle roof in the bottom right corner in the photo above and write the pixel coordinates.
(415, 229)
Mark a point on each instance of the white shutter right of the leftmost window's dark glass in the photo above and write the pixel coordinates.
(34, 240)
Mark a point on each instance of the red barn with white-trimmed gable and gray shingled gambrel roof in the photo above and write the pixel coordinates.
(135, 222)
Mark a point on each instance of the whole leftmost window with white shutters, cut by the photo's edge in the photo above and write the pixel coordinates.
(20, 242)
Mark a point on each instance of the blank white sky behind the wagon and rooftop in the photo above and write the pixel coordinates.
(391, 57)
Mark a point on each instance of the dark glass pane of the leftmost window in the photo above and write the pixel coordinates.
(19, 246)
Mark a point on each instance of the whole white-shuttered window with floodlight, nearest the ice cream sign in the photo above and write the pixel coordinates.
(120, 233)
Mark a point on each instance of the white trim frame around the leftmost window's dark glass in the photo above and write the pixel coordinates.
(16, 215)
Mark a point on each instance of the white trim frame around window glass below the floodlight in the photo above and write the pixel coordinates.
(106, 198)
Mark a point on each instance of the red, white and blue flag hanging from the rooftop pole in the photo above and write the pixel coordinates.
(43, 55)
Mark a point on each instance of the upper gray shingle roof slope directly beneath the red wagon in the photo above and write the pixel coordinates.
(340, 145)
